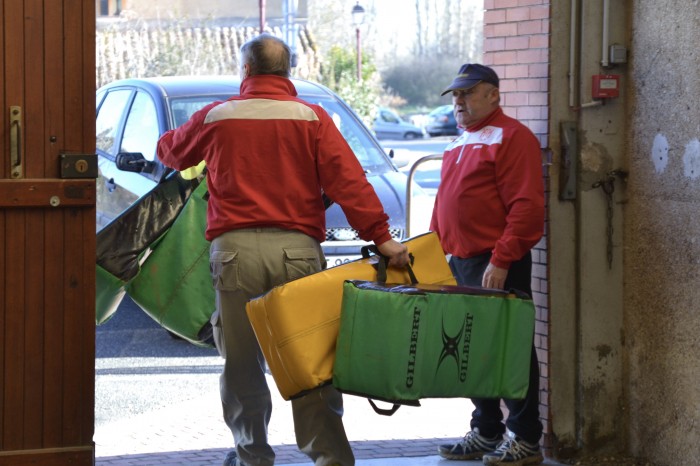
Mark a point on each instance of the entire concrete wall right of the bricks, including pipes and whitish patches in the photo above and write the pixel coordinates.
(624, 334)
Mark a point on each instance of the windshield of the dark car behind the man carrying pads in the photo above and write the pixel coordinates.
(368, 152)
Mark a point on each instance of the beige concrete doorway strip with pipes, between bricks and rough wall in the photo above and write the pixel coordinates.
(586, 253)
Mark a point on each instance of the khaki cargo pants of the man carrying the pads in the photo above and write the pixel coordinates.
(244, 264)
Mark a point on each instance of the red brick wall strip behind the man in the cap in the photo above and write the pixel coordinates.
(516, 45)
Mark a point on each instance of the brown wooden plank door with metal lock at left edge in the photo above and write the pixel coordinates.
(47, 232)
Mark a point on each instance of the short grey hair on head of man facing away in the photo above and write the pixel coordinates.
(266, 54)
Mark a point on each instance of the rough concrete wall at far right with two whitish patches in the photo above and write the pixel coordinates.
(662, 232)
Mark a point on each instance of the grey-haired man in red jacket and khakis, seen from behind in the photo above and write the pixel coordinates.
(269, 157)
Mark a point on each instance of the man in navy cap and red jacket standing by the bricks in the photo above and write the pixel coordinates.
(489, 213)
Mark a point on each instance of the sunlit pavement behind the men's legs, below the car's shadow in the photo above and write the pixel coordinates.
(156, 411)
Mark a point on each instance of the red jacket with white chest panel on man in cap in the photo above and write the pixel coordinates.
(491, 194)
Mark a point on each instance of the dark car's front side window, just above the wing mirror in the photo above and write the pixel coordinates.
(141, 128)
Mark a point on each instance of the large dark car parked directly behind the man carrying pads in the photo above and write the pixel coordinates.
(133, 113)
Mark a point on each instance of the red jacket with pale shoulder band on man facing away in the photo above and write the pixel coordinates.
(269, 156)
